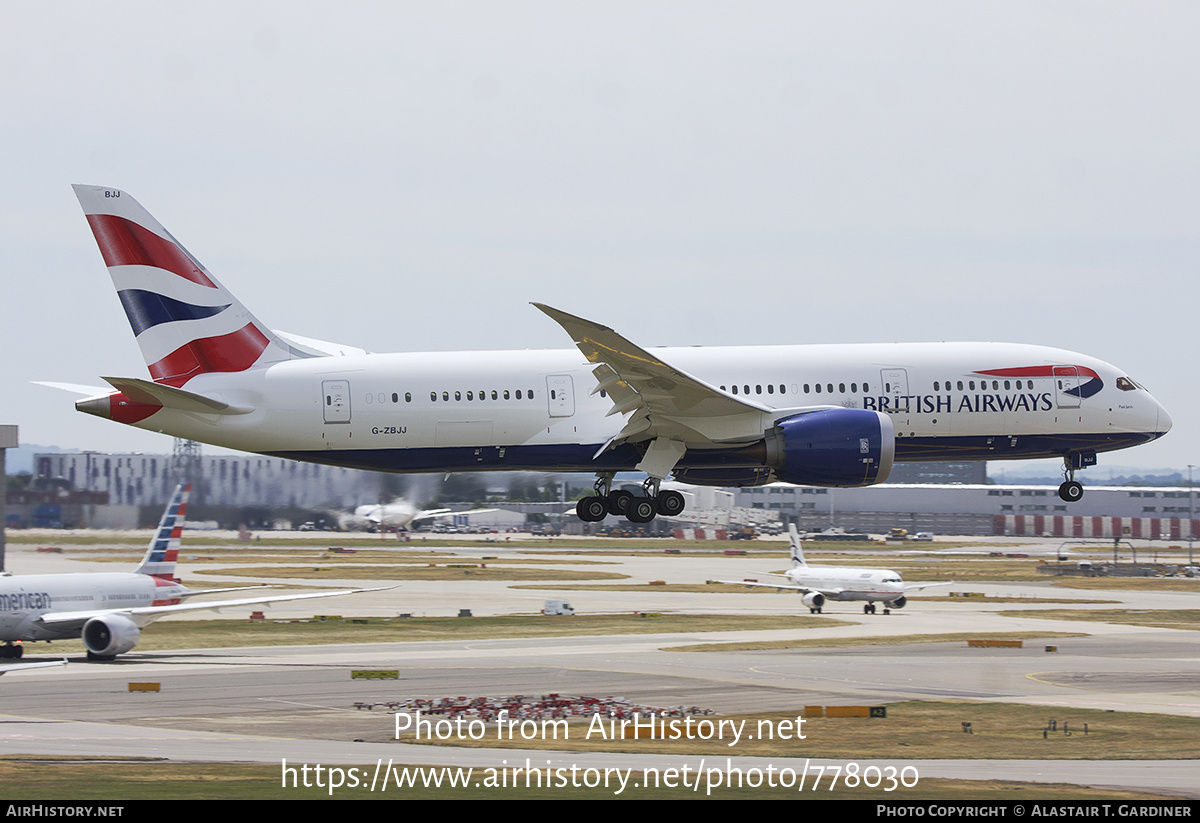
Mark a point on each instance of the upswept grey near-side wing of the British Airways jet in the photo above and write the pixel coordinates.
(663, 401)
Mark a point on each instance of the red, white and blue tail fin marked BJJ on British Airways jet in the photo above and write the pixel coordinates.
(185, 322)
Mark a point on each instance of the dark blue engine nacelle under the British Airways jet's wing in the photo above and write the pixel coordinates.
(832, 448)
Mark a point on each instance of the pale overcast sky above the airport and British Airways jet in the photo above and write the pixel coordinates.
(409, 177)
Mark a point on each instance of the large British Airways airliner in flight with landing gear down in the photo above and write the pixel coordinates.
(815, 416)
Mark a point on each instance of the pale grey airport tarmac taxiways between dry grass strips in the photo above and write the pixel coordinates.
(268, 704)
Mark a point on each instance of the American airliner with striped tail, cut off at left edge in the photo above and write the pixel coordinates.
(109, 610)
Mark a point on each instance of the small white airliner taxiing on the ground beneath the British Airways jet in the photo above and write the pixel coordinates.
(841, 584)
